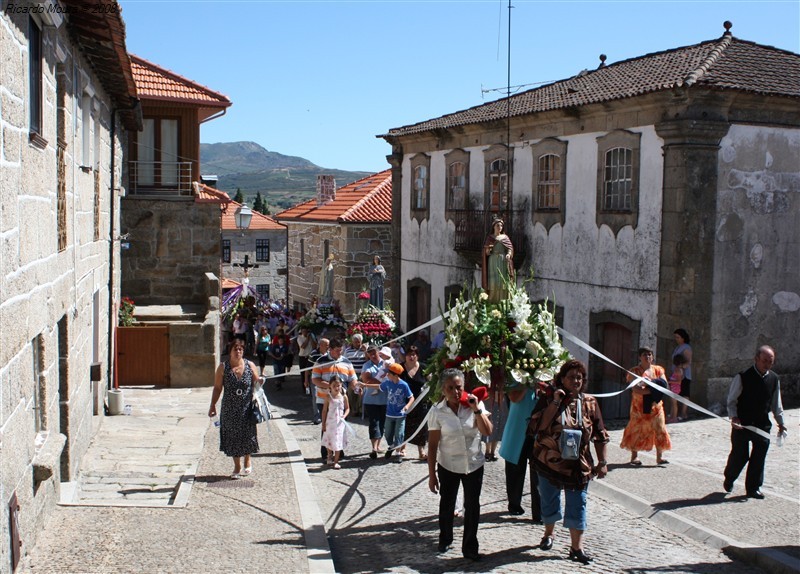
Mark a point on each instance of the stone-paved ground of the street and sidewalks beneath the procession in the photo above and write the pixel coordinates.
(379, 516)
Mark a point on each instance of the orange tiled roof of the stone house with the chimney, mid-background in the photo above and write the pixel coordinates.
(368, 200)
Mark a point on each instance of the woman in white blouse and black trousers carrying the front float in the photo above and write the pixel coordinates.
(455, 427)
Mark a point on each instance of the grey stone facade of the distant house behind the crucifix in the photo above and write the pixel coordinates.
(272, 272)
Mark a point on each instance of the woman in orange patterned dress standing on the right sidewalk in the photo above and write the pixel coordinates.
(647, 427)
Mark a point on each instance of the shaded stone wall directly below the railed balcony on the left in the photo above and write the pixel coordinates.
(173, 244)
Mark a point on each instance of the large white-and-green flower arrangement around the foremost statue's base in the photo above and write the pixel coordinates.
(513, 342)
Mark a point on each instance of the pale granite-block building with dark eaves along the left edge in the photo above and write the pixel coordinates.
(68, 98)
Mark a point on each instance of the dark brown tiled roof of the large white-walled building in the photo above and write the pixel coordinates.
(724, 64)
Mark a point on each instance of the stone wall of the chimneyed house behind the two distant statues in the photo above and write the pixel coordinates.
(353, 246)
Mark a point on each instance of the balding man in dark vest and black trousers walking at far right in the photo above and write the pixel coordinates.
(753, 394)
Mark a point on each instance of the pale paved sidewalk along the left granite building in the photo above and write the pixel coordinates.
(249, 525)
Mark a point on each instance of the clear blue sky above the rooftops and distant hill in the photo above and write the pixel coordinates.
(320, 79)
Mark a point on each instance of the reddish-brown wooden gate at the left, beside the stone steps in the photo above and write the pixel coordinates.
(143, 355)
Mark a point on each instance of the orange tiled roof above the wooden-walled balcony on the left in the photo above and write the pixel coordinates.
(157, 83)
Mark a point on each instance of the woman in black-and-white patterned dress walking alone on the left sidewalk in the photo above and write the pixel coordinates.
(238, 435)
